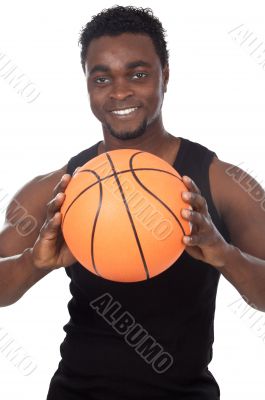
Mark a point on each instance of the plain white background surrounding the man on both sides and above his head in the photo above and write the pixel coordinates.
(215, 97)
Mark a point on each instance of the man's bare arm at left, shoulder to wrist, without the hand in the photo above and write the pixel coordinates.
(25, 216)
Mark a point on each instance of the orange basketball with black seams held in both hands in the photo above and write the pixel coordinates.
(121, 215)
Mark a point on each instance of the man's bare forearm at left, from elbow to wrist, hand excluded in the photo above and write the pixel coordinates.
(17, 275)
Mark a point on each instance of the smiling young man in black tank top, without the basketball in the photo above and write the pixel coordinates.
(150, 339)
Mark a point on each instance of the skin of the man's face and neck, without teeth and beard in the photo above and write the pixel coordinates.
(114, 83)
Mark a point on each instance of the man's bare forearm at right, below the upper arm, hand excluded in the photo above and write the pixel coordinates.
(247, 275)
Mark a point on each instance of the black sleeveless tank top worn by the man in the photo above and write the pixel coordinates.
(143, 340)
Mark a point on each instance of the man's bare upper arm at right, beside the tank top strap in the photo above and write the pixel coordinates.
(242, 208)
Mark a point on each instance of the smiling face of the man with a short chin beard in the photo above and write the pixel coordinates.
(126, 83)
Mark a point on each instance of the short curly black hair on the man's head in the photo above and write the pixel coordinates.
(119, 19)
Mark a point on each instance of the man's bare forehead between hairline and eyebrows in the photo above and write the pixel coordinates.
(116, 51)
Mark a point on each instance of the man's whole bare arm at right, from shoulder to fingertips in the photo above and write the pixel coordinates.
(242, 262)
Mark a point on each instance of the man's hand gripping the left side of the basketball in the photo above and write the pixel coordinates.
(50, 250)
